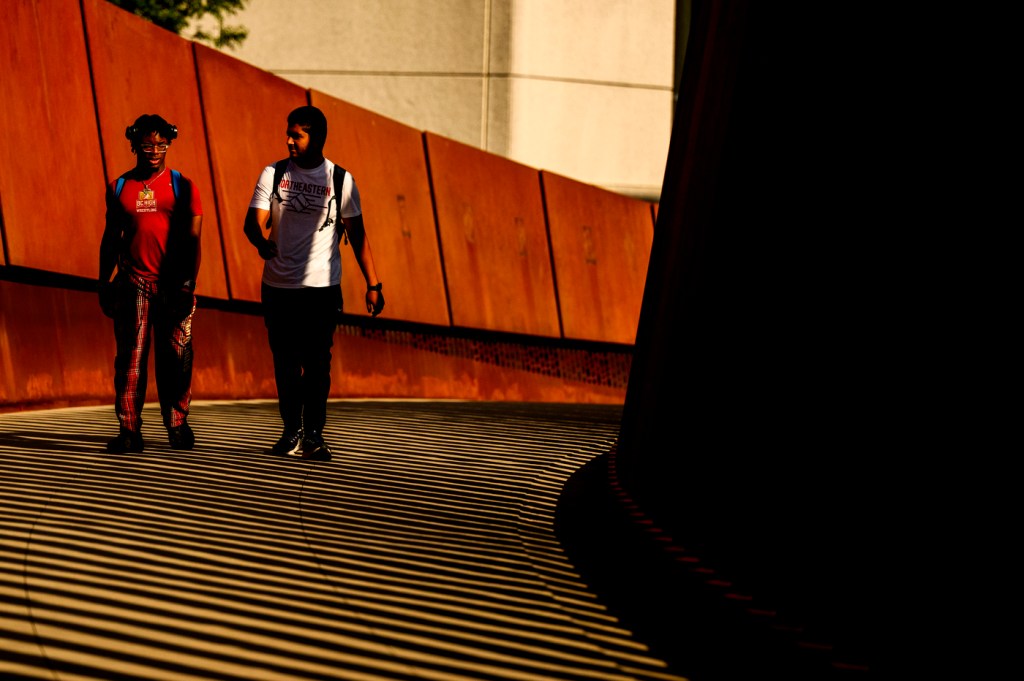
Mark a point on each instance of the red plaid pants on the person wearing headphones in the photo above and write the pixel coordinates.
(142, 316)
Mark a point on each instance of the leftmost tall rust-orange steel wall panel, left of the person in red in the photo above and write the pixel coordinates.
(52, 172)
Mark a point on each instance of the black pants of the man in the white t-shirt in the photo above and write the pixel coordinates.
(301, 325)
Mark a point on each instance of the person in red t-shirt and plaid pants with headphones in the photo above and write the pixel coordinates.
(152, 239)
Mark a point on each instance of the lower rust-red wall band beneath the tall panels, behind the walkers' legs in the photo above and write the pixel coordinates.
(57, 349)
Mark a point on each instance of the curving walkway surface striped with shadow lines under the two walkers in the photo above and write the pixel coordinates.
(425, 550)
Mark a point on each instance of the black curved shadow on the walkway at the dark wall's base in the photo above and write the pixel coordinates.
(709, 624)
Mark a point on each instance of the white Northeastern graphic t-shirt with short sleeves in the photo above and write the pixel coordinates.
(305, 225)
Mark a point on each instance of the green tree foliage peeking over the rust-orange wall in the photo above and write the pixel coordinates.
(177, 16)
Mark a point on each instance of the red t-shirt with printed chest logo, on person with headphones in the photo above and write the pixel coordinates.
(150, 219)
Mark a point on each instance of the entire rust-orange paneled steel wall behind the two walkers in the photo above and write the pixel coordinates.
(474, 267)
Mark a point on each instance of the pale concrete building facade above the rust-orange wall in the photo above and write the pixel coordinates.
(583, 89)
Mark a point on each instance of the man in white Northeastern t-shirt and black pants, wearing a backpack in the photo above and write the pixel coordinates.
(302, 292)
